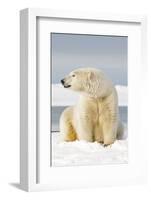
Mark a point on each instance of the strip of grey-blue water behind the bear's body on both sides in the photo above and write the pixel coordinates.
(57, 110)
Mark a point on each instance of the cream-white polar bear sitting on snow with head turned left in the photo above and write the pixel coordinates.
(95, 117)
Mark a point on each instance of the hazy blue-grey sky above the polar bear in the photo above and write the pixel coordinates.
(71, 51)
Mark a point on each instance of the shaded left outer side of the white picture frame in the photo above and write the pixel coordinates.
(24, 99)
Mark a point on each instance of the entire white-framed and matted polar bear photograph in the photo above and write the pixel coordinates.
(81, 89)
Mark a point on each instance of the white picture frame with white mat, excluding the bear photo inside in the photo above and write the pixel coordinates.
(35, 173)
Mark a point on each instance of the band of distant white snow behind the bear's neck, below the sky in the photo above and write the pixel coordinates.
(66, 97)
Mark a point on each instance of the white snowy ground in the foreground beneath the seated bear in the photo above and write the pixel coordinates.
(88, 153)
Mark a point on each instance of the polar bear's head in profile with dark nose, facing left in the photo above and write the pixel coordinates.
(90, 81)
